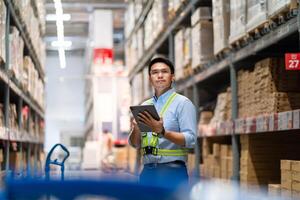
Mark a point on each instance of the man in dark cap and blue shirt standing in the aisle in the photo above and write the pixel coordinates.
(165, 149)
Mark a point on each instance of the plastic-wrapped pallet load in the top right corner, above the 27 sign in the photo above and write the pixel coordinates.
(275, 7)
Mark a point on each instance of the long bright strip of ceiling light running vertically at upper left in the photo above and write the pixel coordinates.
(60, 32)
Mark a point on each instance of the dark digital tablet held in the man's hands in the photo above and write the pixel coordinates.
(150, 109)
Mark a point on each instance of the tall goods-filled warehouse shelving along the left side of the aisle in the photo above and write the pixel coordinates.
(22, 104)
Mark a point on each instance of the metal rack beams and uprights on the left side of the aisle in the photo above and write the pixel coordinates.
(29, 143)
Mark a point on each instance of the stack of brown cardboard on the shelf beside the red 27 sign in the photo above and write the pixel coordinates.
(276, 90)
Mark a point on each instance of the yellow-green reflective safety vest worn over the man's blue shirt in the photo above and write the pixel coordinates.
(152, 146)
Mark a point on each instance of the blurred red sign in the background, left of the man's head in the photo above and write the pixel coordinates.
(103, 56)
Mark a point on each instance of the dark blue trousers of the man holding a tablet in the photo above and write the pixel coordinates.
(172, 174)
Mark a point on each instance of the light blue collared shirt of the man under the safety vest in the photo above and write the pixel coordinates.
(179, 117)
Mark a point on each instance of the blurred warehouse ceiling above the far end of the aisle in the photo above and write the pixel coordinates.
(77, 28)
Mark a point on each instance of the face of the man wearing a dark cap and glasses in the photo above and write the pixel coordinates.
(160, 76)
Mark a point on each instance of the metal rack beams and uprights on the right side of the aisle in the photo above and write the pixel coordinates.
(286, 121)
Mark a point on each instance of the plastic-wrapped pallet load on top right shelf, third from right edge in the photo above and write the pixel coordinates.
(237, 20)
